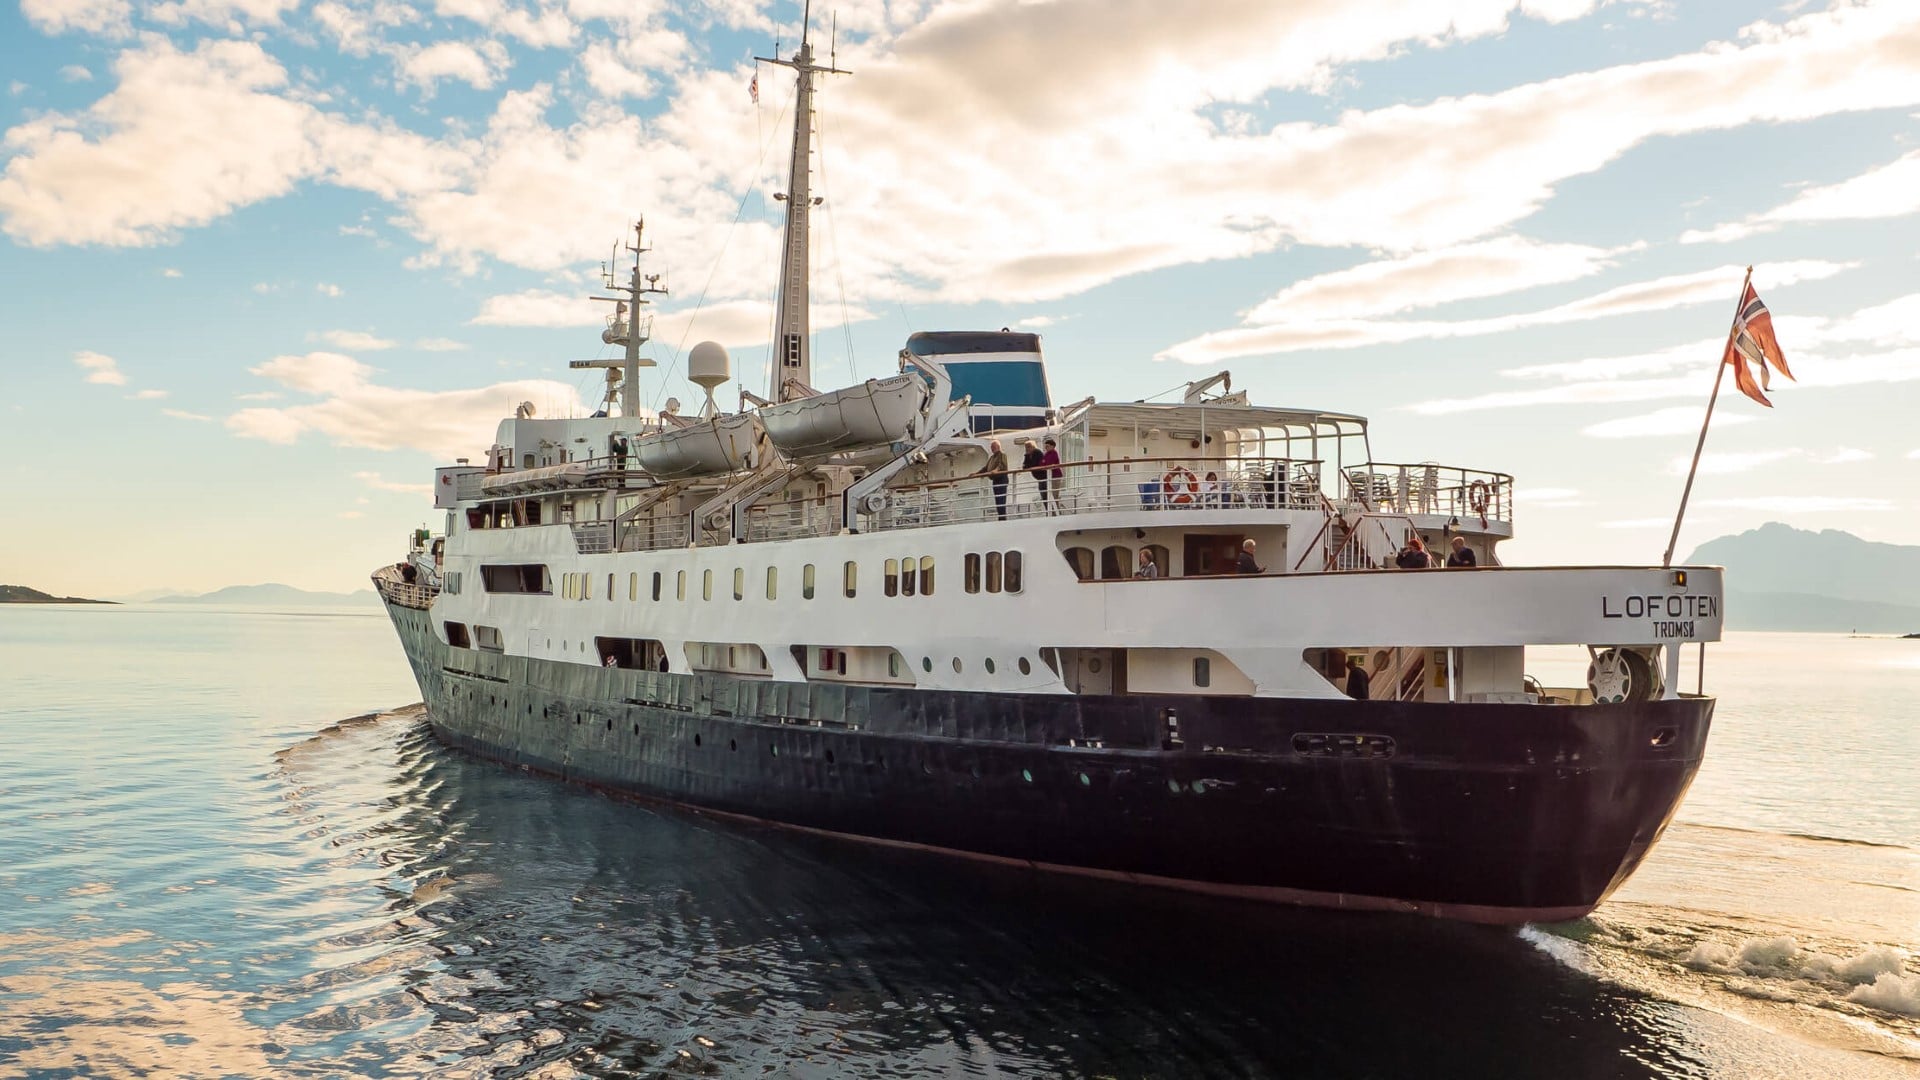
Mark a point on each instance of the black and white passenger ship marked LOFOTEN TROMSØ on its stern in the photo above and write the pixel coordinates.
(1182, 643)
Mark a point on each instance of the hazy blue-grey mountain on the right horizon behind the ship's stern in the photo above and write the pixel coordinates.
(1790, 579)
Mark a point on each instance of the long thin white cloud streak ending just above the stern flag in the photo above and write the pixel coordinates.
(1658, 295)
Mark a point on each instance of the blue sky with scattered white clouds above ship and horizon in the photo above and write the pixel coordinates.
(268, 262)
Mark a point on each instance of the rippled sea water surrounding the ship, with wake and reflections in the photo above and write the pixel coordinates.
(206, 873)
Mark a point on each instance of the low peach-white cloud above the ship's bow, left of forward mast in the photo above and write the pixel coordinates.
(354, 410)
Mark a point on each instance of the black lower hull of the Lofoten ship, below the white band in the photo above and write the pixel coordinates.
(1479, 812)
